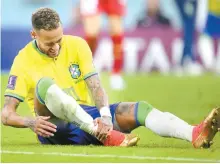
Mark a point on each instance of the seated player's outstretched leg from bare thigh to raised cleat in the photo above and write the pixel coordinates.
(131, 115)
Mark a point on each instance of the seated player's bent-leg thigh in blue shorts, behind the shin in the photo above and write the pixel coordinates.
(67, 133)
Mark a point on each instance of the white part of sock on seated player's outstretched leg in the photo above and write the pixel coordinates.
(168, 125)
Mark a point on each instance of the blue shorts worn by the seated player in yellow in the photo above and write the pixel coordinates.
(69, 134)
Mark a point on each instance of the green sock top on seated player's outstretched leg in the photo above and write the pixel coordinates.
(142, 110)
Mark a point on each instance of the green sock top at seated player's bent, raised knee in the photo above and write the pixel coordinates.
(42, 87)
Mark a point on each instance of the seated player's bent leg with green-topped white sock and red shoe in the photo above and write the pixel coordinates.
(52, 101)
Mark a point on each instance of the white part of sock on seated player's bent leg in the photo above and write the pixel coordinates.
(65, 107)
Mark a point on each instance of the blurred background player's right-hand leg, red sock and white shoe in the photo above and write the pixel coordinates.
(117, 36)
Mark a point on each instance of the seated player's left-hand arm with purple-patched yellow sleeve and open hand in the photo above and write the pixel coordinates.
(16, 91)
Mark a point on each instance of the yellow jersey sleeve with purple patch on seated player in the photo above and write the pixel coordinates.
(17, 85)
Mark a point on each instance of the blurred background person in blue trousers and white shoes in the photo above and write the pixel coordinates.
(188, 63)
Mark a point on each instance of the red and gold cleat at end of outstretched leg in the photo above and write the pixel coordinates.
(204, 132)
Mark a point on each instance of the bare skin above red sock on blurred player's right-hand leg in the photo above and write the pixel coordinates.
(115, 24)
